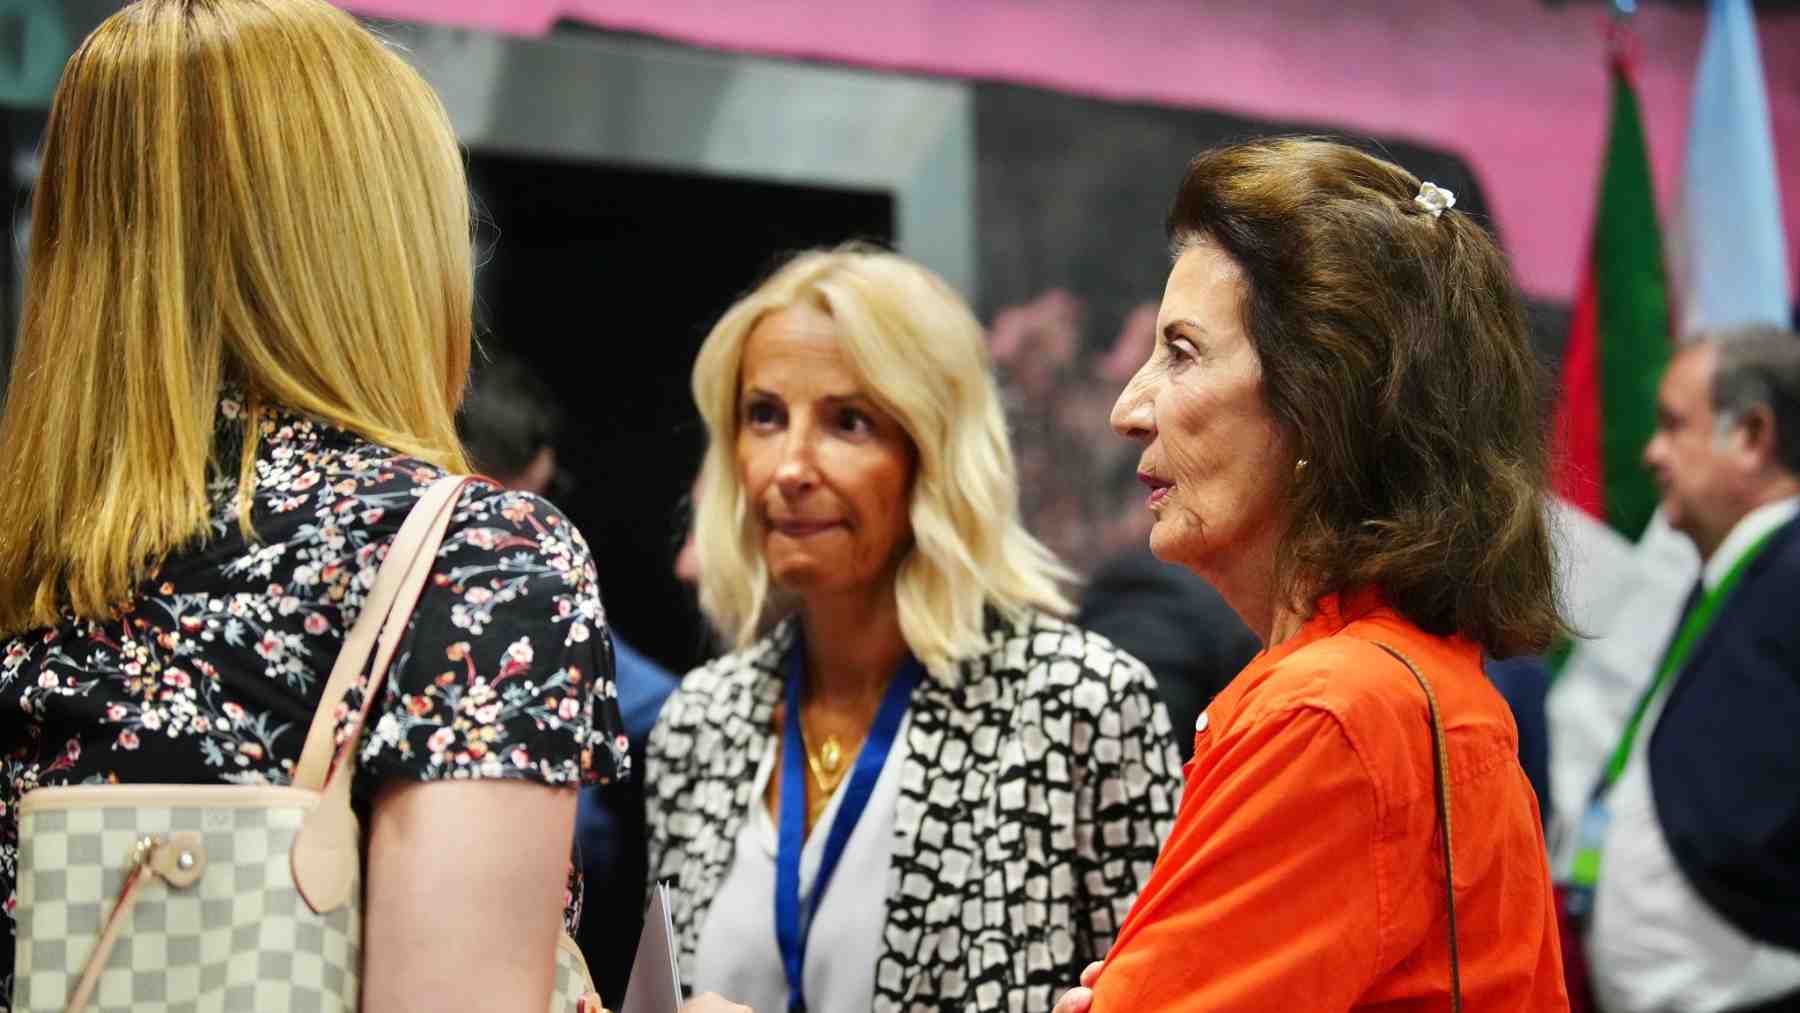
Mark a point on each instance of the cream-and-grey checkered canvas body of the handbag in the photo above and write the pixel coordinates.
(238, 940)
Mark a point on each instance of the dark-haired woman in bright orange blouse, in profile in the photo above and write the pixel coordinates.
(1340, 433)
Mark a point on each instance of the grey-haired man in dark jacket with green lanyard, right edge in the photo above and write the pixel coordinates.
(1695, 830)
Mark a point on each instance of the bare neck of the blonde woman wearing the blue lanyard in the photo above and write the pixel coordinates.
(854, 647)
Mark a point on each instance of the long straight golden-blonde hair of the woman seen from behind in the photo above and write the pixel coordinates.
(233, 192)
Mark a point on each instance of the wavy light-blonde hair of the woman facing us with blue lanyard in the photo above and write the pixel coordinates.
(922, 359)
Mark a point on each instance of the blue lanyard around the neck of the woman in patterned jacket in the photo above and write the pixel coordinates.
(793, 926)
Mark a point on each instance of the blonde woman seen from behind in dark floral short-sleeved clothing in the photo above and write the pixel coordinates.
(246, 336)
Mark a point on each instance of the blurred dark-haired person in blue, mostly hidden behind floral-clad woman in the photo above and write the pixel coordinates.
(508, 424)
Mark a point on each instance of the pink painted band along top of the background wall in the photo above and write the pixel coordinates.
(1515, 87)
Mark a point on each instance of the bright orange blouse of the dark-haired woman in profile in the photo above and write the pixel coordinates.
(1306, 868)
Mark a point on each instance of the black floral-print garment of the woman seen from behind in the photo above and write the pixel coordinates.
(213, 670)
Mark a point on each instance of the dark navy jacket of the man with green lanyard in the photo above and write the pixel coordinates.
(1725, 757)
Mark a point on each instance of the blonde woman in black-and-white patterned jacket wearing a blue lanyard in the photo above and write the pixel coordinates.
(913, 785)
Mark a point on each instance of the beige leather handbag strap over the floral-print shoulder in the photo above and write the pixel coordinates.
(327, 850)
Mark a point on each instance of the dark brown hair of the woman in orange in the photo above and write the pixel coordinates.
(1396, 352)
